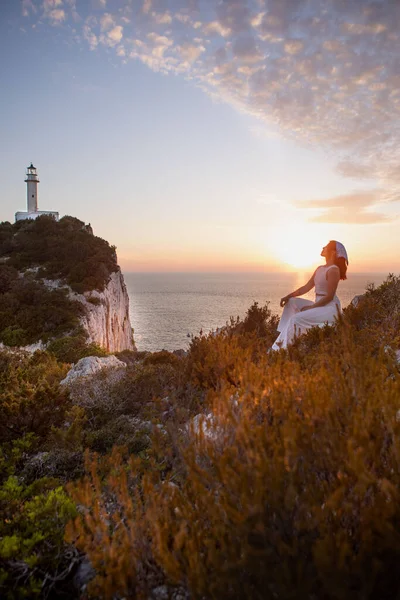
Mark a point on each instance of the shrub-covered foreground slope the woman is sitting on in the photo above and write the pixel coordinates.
(228, 473)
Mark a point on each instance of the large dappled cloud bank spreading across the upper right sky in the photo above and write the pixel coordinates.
(325, 73)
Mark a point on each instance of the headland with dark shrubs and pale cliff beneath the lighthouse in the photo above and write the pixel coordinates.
(53, 276)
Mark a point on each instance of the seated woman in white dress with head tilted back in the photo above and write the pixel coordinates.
(300, 314)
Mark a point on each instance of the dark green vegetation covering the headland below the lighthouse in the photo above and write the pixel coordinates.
(31, 251)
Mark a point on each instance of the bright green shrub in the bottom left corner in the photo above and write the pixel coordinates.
(33, 556)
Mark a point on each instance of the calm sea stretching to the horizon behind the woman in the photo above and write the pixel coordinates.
(167, 309)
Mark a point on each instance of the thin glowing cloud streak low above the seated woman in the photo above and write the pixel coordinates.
(353, 208)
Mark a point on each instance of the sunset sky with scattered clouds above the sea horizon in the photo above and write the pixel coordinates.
(205, 135)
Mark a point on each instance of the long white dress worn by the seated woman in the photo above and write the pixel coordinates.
(293, 322)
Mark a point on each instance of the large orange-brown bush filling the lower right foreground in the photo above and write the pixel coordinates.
(292, 493)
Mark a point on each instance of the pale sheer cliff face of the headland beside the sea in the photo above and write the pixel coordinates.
(107, 315)
